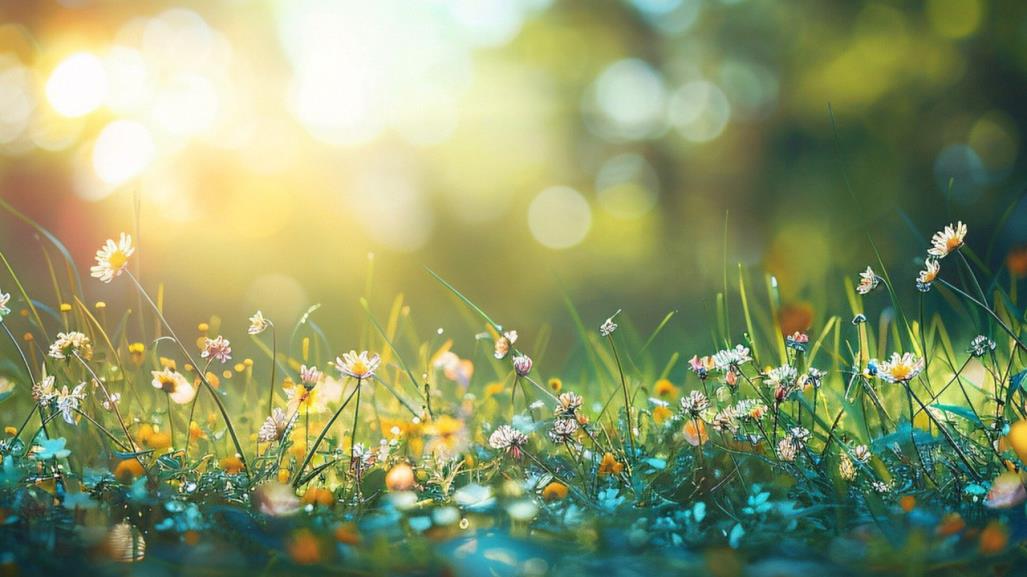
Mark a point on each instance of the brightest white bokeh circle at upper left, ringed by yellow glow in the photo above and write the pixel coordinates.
(79, 86)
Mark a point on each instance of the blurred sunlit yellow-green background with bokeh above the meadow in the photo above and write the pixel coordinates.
(520, 148)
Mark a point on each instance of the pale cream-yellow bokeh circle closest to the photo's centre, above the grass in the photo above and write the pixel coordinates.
(559, 218)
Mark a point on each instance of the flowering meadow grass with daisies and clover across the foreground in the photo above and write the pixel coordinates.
(882, 441)
